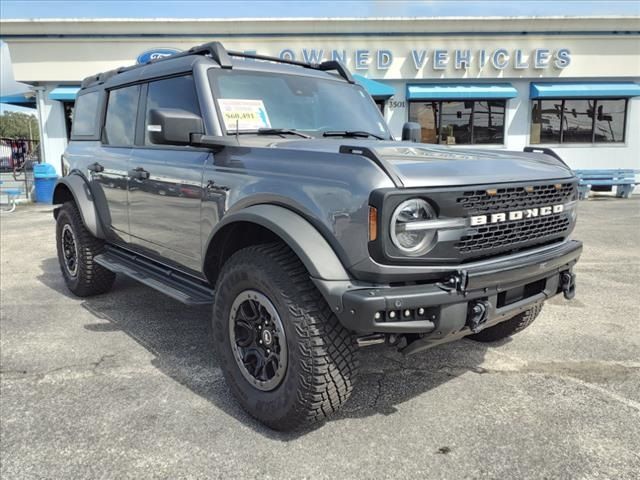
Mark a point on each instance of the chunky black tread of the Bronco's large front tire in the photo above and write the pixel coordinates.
(328, 351)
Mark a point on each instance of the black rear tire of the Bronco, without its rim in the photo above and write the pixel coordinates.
(91, 278)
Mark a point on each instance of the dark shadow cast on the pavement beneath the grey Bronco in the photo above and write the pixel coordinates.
(179, 338)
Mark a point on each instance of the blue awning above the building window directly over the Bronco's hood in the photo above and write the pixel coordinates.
(461, 91)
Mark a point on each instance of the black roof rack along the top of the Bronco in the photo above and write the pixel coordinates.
(223, 57)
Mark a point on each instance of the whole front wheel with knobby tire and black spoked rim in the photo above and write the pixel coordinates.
(284, 354)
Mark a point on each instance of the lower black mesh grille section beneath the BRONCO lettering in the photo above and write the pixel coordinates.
(512, 234)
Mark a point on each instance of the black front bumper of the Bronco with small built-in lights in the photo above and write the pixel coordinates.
(443, 310)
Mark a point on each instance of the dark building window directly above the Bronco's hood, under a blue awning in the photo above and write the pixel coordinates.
(461, 122)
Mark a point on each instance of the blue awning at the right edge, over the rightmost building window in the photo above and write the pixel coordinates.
(585, 90)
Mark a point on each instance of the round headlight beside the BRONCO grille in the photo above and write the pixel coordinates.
(412, 242)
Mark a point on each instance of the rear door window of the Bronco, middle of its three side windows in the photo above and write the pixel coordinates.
(120, 123)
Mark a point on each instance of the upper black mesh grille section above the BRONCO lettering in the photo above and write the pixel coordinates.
(476, 202)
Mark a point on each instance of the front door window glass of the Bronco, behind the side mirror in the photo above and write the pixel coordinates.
(177, 92)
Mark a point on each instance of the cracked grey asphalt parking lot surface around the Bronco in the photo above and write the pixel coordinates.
(124, 385)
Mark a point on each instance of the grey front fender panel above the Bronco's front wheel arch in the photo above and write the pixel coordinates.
(330, 190)
